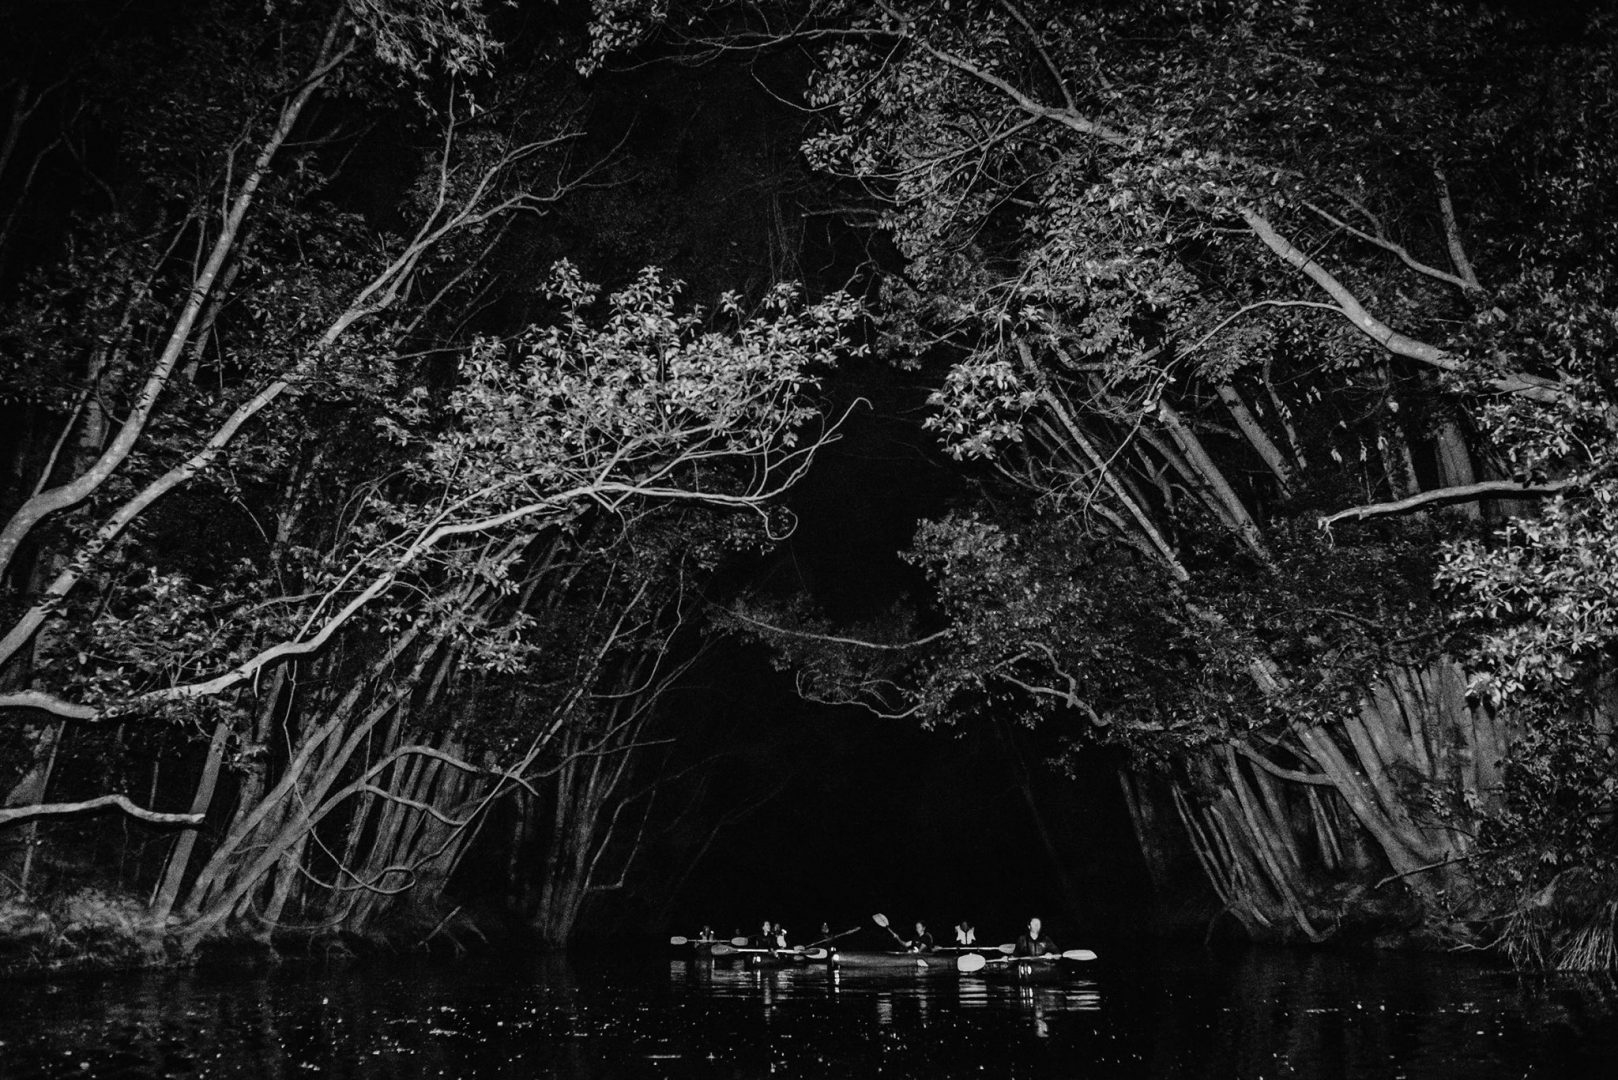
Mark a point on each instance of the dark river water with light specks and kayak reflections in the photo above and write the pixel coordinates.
(1161, 1014)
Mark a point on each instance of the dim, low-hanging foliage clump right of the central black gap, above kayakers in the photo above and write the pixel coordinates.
(1049, 626)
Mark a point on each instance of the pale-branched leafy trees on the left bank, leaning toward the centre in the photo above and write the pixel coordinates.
(287, 509)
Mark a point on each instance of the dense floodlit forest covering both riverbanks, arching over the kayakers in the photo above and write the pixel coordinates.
(405, 404)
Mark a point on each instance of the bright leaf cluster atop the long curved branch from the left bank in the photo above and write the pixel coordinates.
(645, 391)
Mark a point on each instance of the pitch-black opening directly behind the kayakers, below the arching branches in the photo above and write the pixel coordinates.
(883, 817)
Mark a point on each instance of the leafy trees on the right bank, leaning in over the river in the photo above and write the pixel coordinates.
(1206, 284)
